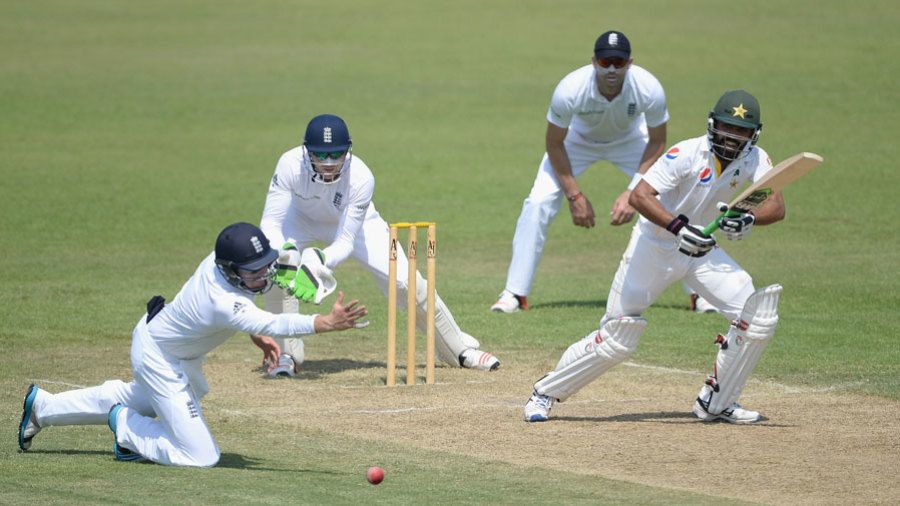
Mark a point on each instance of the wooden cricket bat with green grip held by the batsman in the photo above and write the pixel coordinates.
(757, 193)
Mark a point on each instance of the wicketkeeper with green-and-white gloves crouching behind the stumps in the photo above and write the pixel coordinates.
(322, 192)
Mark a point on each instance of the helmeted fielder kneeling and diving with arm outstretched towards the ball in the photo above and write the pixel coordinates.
(157, 416)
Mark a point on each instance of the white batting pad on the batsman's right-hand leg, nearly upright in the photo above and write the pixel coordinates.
(741, 349)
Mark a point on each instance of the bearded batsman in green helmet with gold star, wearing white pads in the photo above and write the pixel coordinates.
(681, 188)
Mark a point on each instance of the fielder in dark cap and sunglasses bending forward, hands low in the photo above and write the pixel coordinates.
(610, 110)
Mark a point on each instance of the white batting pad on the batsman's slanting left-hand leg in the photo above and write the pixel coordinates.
(591, 356)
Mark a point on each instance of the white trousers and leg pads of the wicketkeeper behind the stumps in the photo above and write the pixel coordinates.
(370, 249)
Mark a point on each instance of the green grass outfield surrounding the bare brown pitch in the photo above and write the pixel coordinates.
(131, 134)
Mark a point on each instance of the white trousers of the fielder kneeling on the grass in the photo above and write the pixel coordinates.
(162, 419)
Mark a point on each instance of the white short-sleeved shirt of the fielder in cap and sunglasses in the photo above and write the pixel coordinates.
(578, 105)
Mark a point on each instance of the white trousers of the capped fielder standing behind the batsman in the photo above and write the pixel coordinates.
(546, 197)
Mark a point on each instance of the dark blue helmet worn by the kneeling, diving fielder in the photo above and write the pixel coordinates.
(244, 246)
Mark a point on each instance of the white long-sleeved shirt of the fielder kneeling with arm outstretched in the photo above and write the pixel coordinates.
(208, 310)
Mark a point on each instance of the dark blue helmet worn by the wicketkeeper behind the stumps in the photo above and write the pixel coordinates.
(327, 142)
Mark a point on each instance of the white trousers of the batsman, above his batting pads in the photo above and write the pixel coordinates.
(649, 266)
